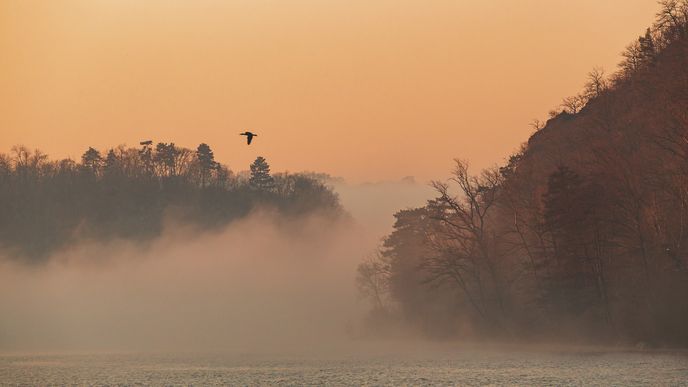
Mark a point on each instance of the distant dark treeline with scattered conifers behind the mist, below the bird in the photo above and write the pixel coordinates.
(129, 193)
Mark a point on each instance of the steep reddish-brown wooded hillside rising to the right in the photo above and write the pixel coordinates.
(583, 234)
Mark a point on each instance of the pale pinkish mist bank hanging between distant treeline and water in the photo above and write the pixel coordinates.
(264, 283)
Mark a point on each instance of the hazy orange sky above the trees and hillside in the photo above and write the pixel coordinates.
(366, 90)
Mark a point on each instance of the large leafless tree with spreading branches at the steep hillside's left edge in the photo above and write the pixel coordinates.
(464, 252)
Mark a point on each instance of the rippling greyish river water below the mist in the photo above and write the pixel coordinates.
(445, 367)
